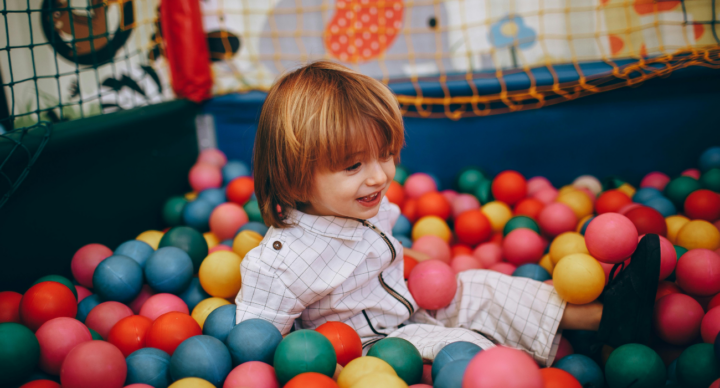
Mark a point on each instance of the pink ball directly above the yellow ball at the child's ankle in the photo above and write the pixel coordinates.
(611, 238)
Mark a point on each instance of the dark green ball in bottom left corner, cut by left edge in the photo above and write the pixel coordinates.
(19, 353)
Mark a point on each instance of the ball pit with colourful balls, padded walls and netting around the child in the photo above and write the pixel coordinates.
(544, 139)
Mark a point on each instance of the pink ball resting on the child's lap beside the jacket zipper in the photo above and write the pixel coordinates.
(432, 283)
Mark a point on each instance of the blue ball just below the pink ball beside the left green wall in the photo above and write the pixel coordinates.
(118, 278)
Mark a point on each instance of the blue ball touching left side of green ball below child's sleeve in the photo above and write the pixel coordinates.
(253, 340)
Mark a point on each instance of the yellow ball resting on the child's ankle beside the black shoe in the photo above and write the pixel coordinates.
(578, 278)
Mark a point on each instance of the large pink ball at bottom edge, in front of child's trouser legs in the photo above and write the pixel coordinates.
(502, 367)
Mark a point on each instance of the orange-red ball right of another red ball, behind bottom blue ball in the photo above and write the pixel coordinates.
(169, 330)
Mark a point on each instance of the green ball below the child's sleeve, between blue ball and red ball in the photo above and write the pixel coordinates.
(304, 351)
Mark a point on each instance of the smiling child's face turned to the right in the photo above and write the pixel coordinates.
(354, 192)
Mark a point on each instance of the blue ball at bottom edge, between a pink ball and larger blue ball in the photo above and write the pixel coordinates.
(149, 366)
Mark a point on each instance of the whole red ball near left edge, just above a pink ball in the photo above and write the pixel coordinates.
(45, 301)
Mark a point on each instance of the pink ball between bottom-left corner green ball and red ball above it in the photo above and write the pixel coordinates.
(57, 337)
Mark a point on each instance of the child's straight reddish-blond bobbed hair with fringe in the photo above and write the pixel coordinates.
(316, 117)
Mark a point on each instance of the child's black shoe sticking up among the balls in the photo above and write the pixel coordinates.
(629, 297)
